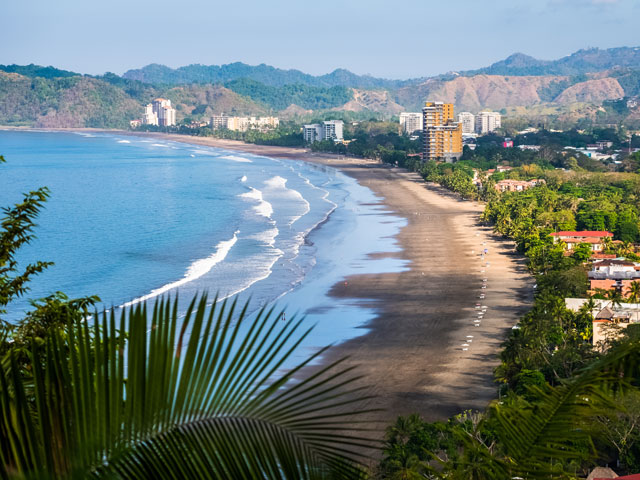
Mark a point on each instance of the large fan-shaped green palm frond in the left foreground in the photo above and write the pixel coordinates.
(149, 395)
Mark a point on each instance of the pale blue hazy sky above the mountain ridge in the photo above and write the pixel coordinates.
(393, 39)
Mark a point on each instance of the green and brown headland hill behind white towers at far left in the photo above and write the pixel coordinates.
(82, 101)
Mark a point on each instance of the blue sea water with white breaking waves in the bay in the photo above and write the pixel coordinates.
(131, 218)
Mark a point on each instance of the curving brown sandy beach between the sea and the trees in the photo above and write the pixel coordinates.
(412, 354)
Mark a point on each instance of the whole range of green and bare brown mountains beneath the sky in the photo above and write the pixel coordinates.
(590, 86)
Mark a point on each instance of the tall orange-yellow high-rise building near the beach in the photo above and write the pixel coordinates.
(442, 136)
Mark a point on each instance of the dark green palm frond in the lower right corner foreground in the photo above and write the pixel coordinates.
(556, 427)
